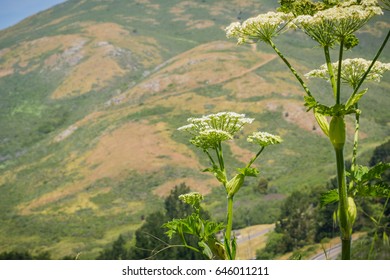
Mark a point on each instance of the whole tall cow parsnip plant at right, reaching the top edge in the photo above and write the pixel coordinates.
(332, 24)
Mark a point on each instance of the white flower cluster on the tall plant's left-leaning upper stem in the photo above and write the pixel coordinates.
(261, 28)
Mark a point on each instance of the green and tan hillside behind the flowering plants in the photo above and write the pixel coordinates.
(92, 93)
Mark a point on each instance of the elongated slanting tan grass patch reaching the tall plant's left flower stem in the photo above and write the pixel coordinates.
(209, 64)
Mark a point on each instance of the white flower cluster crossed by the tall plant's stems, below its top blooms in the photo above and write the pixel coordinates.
(352, 71)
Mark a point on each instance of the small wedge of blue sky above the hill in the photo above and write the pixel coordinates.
(13, 11)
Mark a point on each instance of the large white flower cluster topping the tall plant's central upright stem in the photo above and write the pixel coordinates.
(329, 25)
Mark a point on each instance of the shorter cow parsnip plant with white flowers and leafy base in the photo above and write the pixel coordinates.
(209, 133)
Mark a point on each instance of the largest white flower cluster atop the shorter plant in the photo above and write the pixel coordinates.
(209, 131)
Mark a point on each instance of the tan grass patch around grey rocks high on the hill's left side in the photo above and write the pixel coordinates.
(101, 67)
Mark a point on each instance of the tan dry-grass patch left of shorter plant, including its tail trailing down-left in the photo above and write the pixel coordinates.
(134, 146)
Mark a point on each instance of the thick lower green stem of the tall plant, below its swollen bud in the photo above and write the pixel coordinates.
(344, 220)
